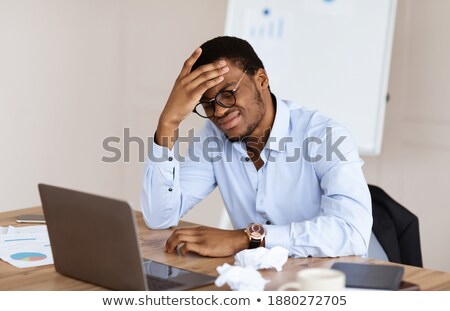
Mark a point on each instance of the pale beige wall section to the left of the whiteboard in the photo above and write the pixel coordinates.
(74, 72)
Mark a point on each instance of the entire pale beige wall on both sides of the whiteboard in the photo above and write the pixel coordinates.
(73, 72)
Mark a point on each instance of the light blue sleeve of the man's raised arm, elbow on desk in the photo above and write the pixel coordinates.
(170, 187)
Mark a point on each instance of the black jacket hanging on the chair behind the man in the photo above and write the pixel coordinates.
(396, 228)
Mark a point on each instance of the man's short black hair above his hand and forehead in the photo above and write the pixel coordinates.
(236, 50)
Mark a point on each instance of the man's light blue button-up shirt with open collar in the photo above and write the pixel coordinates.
(311, 198)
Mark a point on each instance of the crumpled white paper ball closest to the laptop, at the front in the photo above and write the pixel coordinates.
(240, 278)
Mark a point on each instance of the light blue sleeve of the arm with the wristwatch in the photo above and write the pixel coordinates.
(345, 222)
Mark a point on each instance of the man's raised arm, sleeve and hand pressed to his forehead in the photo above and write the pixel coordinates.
(164, 199)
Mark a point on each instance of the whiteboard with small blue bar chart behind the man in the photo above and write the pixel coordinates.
(329, 55)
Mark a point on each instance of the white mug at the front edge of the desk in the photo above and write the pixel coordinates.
(317, 279)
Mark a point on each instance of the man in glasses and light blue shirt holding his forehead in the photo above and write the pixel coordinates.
(288, 176)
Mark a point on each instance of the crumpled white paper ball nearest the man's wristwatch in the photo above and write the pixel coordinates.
(262, 258)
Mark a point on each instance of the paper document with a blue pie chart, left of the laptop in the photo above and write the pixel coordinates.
(25, 247)
